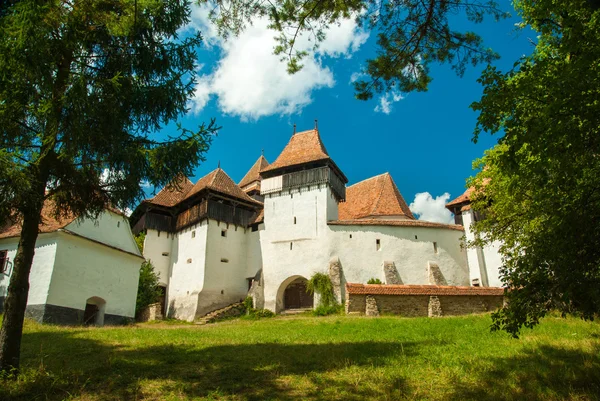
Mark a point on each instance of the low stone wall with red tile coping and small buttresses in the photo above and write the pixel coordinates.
(413, 301)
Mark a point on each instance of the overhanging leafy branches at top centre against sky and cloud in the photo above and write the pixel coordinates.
(411, 34)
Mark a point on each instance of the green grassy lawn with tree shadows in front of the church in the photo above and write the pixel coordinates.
(302, 357)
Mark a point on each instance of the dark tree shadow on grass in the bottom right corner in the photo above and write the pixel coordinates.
(542, 373)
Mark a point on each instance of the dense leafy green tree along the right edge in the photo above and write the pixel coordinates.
(539, 187)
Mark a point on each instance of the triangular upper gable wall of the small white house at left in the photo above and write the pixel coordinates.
(110, 228)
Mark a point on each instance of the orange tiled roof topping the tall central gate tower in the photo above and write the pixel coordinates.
(303, 147)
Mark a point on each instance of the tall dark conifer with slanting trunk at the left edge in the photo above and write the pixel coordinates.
(84, 86)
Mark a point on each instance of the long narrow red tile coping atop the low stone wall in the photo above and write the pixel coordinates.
(379, 289)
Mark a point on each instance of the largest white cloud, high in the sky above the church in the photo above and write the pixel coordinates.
(251, 82)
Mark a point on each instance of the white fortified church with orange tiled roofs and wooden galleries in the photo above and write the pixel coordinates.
(215, 241)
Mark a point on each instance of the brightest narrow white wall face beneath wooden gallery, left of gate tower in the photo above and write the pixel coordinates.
(186, 276)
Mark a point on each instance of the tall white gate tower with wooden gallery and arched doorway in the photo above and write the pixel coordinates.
(301, 192)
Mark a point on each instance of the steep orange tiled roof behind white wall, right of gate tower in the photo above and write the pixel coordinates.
(376, 196)
